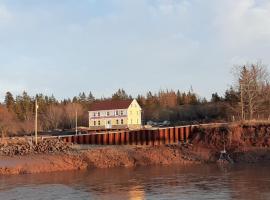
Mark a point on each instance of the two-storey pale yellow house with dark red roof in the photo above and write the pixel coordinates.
(115, 114)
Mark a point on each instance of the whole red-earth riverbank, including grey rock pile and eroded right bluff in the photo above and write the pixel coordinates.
(245, 144)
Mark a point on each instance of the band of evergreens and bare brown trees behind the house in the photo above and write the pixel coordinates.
(248, 98)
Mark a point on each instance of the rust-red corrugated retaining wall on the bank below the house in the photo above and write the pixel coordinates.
(160, 136)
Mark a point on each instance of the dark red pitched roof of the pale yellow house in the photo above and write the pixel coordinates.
(111, 105)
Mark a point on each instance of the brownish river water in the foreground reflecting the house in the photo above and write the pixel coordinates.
(174, 182)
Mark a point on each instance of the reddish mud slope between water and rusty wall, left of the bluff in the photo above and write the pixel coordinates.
(96, 157)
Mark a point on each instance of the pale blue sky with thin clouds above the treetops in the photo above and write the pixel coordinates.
(64, 47)
